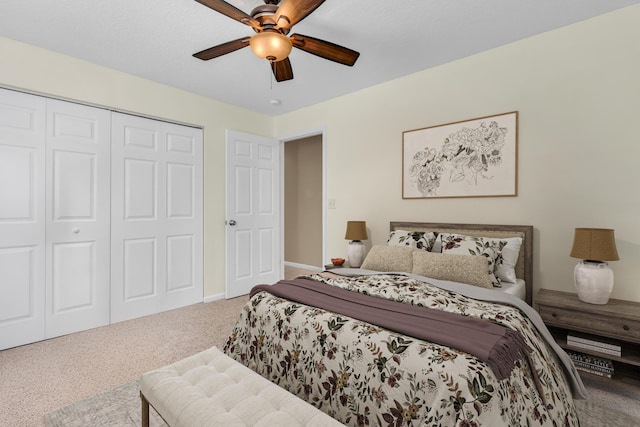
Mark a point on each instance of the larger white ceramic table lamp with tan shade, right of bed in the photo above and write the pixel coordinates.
(592, 276)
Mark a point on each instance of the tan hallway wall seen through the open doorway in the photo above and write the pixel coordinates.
(303, 201)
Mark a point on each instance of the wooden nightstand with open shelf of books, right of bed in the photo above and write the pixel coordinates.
(591, 328)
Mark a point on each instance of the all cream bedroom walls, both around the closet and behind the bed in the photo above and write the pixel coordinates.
(576, 89)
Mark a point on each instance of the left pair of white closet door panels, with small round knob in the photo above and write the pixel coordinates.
(54, 218)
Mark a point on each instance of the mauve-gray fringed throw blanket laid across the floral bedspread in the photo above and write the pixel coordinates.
(499, 347)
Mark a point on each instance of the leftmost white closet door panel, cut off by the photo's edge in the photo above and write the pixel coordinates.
(22, 218)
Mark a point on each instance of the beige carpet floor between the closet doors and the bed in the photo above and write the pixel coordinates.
(38, 378)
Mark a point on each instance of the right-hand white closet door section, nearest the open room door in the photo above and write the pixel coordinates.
(157, 215)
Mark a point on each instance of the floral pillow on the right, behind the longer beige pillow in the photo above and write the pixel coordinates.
(468, 245)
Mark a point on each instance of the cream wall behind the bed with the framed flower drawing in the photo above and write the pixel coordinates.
(578, 95)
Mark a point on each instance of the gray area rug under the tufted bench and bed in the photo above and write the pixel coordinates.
(120, 407)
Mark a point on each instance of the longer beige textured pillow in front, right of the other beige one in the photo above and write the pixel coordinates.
(472, 270)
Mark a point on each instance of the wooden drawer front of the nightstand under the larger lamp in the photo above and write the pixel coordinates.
(626, 329)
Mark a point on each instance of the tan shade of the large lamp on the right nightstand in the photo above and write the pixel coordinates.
(595, 244)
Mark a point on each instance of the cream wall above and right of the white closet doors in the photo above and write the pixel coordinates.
(37, 70)
